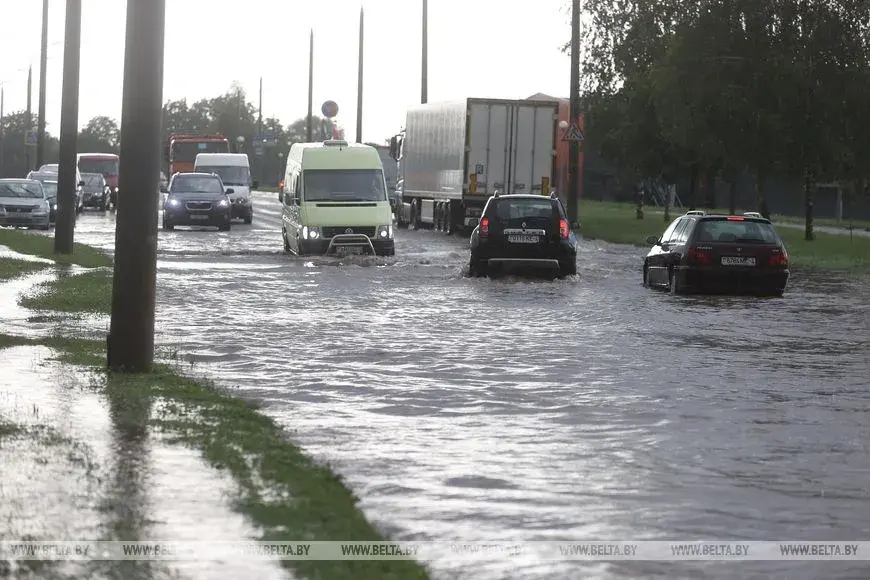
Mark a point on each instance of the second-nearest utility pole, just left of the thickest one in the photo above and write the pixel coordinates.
(69, 130)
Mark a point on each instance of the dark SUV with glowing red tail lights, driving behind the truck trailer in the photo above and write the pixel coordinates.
(523, 231)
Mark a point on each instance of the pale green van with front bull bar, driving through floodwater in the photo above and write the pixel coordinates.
(334, 200)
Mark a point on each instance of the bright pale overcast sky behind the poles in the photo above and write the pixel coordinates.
(477, 48)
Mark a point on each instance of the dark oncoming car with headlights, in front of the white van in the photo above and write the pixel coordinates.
(197, 199)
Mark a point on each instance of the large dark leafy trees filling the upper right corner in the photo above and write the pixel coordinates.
(677, 89)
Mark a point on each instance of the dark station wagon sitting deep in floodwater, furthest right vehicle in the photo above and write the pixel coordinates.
(715, 253)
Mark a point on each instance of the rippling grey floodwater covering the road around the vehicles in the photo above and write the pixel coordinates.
(590, 408)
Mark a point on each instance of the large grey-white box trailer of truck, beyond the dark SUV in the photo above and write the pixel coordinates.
(453, 156)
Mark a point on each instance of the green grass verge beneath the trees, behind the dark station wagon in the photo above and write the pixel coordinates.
(617, 223)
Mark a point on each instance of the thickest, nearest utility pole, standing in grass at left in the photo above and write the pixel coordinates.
(130, 344)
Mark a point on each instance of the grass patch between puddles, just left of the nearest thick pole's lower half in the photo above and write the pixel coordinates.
(87, 292)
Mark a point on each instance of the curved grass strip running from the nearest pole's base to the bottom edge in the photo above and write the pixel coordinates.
(282, 490)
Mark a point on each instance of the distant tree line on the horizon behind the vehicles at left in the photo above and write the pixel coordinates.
(230, 114)
